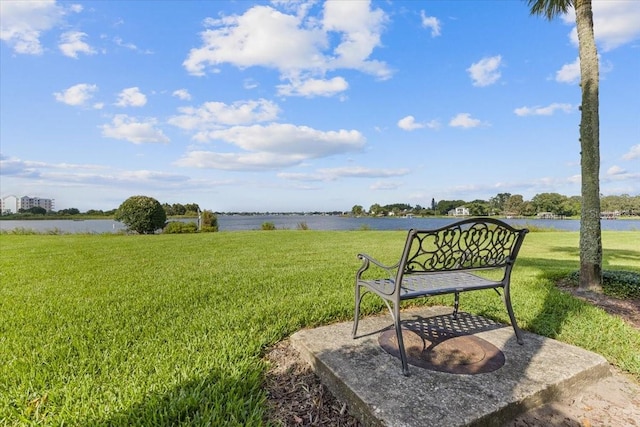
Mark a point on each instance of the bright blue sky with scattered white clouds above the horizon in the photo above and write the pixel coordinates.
(307, 105)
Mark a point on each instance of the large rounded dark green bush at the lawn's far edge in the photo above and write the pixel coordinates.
(141, 214)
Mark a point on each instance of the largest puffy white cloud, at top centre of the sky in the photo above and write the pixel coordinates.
(295, 44)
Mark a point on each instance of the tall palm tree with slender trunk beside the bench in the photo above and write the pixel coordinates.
(590, 231)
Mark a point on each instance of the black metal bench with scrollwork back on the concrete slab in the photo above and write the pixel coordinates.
(442, 261)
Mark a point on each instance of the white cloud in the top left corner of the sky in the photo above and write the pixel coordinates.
(23, 22)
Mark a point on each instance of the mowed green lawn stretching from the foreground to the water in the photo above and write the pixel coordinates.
(171, 329)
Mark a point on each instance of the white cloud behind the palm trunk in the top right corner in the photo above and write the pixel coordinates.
(615, 23)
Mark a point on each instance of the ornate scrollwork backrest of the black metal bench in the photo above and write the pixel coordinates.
(470, 244)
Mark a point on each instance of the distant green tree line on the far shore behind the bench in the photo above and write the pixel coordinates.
(509, 205)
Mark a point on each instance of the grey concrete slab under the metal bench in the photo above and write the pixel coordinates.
(362, 374)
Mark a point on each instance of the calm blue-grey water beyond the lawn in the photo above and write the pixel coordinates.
(313, 222)
